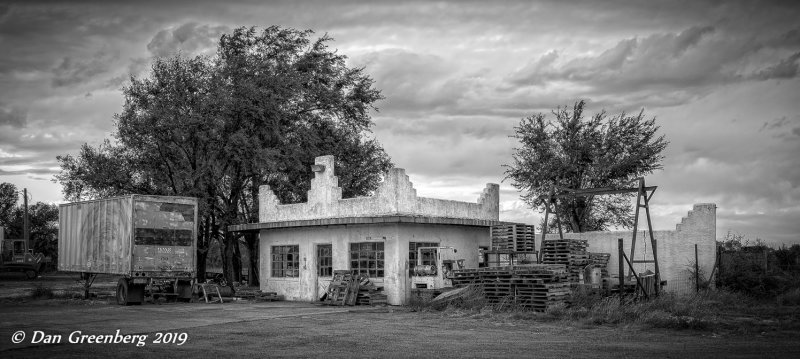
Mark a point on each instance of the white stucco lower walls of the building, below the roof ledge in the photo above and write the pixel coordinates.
(395, 236)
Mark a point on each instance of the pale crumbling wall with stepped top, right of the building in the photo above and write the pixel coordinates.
(675, 247)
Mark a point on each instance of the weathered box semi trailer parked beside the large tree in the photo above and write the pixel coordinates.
(150, 242)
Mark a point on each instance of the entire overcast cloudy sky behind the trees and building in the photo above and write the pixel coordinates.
(721, 77)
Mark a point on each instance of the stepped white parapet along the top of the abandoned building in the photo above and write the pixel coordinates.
(395, 196)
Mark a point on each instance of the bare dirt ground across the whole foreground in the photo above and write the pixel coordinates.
(290, 329)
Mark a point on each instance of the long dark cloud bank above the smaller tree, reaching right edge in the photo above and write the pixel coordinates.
(662, 69)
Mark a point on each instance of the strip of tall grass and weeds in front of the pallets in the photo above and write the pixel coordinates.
(710, 309)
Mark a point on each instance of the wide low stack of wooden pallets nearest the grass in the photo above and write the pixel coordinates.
(536, 286)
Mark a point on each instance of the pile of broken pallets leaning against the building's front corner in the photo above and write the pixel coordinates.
(348, 289)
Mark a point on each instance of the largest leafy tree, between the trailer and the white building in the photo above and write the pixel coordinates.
(217, 128)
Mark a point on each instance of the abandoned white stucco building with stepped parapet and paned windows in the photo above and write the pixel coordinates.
(302, 244)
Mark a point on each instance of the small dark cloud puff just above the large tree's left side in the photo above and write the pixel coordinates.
(190, 39)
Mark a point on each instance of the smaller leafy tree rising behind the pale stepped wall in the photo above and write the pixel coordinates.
(573, 152)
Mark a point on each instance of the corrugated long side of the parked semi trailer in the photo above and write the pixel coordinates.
(96, 236)
